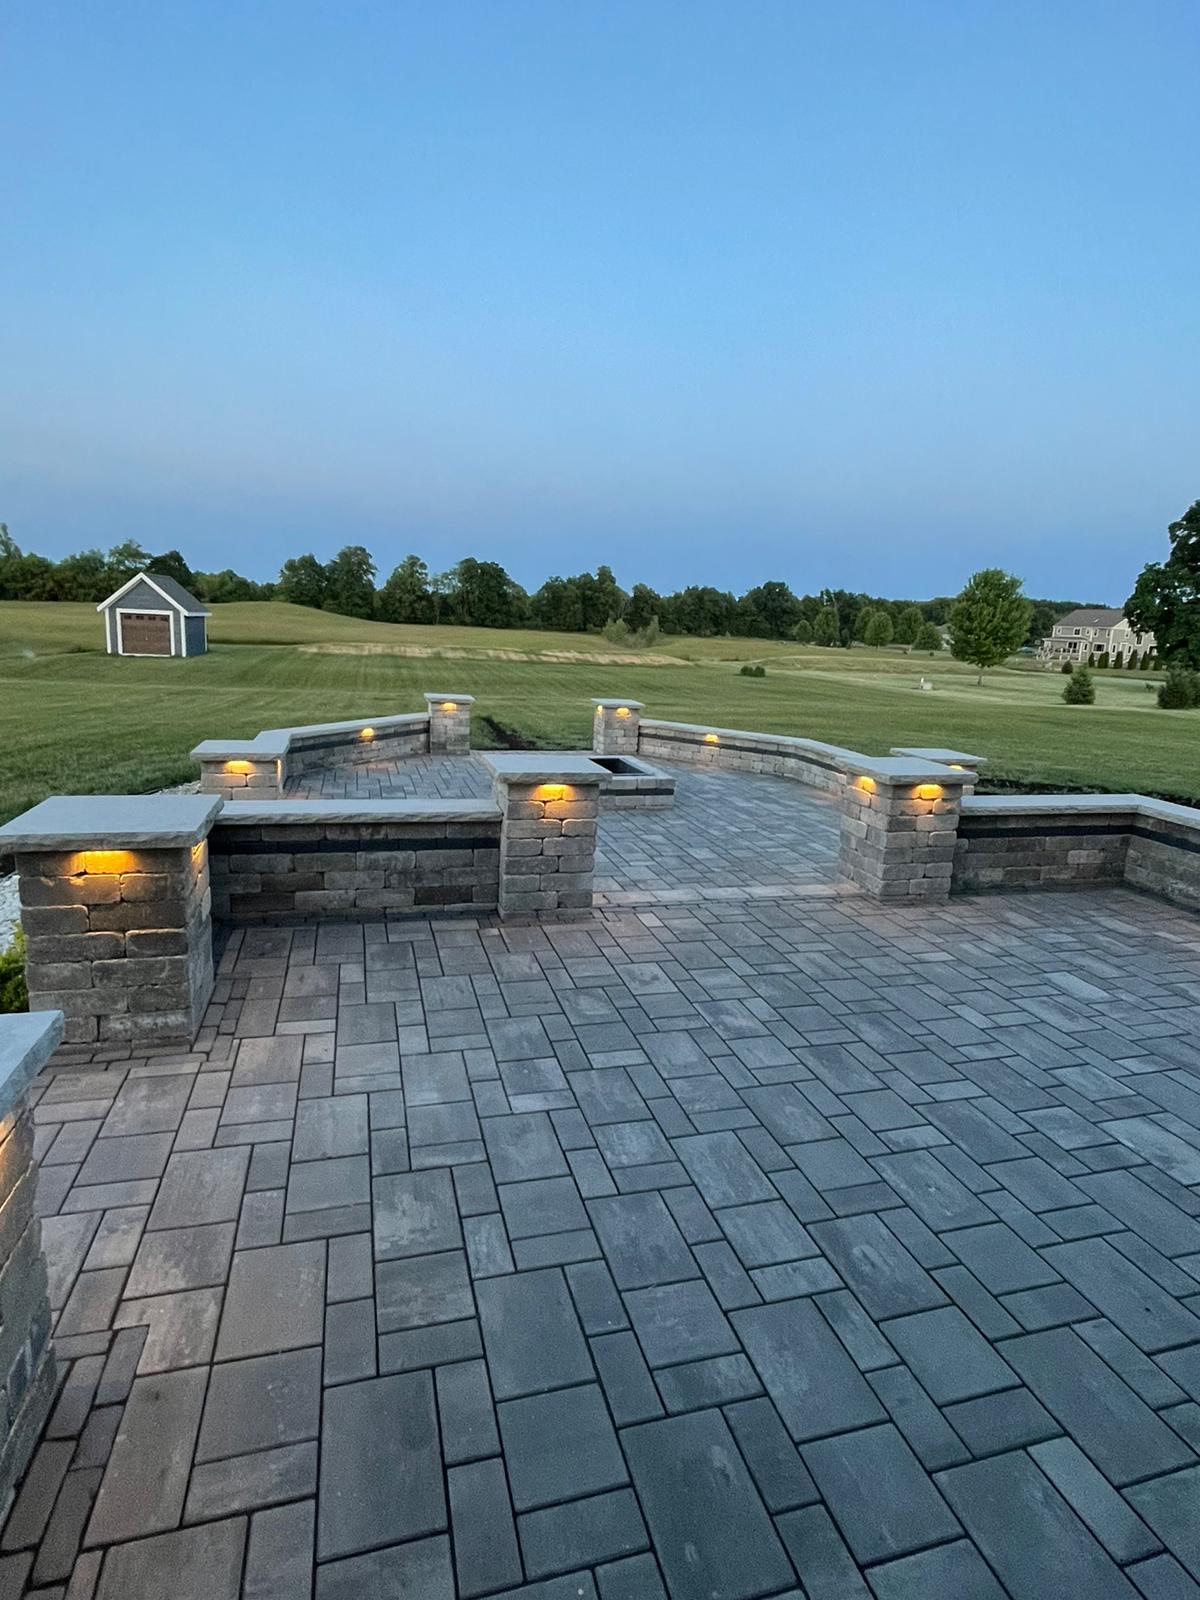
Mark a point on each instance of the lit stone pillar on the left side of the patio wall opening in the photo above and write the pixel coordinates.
(550, 810)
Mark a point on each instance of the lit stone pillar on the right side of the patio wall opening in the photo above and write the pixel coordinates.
(900, 823)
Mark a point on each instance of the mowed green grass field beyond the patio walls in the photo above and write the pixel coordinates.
(74, 719)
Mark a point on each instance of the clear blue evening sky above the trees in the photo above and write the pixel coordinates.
(844, 294)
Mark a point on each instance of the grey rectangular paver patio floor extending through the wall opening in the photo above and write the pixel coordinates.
(748, 1239)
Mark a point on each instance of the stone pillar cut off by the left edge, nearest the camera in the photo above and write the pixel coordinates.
(26, 1354)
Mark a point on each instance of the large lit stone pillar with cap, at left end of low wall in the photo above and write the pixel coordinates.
(118, 914)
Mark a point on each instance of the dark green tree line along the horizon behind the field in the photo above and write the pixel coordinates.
(484, 594)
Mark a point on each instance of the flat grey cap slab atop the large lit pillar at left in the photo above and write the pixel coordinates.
(111, 823)
